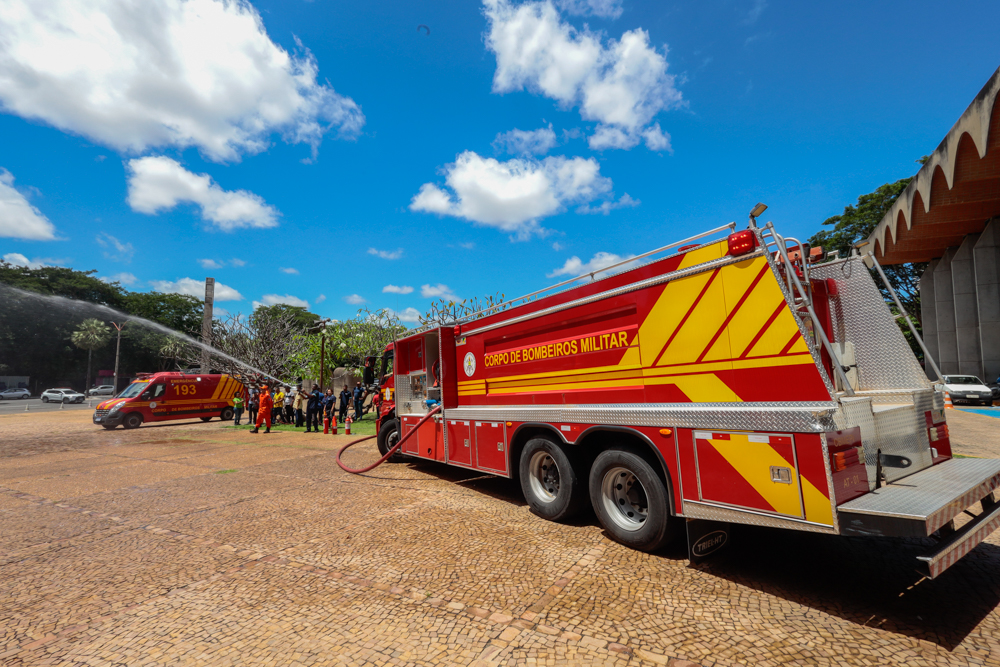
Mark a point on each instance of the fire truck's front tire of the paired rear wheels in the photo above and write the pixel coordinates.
(549, 481)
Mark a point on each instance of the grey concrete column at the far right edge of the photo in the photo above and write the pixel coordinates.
(987, 262)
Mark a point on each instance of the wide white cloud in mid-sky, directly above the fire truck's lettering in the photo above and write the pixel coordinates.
(513, 195)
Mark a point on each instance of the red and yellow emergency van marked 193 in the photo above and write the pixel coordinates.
(157, 397)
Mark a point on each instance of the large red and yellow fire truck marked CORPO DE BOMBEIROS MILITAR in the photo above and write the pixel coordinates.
(729, 379)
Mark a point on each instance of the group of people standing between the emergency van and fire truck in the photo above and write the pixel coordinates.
(282, 404)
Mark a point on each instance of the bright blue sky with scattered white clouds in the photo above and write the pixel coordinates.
(328, 152)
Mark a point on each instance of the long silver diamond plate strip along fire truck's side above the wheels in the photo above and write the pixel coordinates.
(779, 417)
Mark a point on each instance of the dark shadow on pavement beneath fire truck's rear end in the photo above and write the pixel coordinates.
(868, 581)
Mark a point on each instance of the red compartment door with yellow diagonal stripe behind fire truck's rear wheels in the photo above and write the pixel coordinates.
(755, 471)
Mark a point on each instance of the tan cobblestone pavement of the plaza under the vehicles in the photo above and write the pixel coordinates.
(188, 543)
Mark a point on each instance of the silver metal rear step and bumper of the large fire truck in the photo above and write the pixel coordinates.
(923, 503)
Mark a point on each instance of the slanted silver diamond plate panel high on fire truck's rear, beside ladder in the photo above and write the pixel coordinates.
(860, 315)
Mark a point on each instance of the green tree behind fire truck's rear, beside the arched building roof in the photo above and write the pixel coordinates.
(856, 223)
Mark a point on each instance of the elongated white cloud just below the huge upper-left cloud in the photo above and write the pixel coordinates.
(159, 183)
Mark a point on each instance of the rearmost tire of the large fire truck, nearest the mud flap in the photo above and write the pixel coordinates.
(630, 500)
